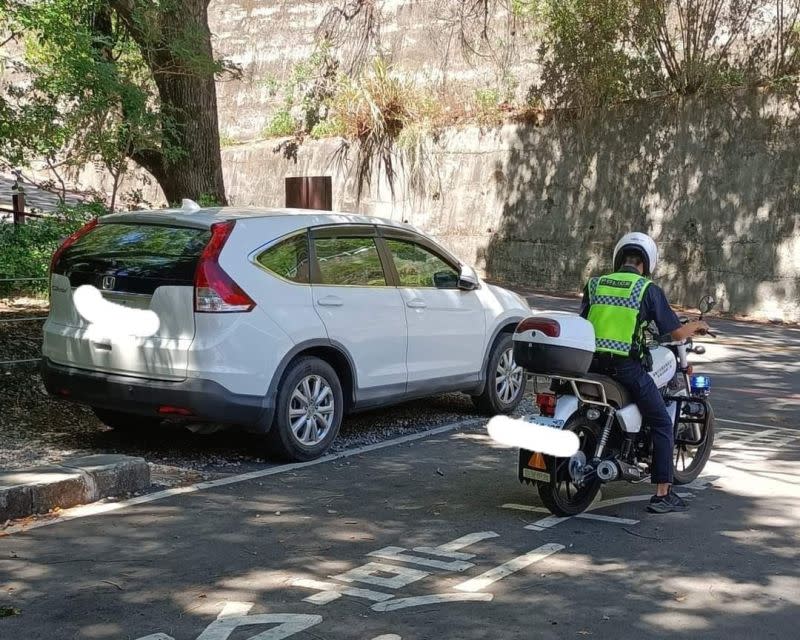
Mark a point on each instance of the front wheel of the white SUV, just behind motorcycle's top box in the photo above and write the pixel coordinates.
(505, 381)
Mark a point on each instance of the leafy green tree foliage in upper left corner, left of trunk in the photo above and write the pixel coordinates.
(90, 95)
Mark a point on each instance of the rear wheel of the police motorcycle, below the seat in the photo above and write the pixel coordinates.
(561, 495)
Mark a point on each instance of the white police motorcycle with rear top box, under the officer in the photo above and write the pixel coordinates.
(614, 444)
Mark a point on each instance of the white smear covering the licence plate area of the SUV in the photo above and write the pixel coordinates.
(111, 319)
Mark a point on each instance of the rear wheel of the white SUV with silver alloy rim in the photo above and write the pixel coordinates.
(308, 412)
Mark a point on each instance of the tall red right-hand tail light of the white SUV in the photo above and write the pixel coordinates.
(214, 290)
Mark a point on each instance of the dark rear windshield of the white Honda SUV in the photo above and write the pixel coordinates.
(138, 257)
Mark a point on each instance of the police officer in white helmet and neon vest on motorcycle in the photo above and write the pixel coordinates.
(620, 306)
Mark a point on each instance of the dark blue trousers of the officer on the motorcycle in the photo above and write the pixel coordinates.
(632, 375)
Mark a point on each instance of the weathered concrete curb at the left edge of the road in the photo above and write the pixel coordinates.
(75, 481)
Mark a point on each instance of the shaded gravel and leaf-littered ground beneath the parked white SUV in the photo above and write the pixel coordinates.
(36, 429)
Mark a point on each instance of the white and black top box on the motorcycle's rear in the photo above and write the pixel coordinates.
(554, 344)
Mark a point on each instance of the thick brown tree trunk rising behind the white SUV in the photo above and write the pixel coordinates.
(189, 164)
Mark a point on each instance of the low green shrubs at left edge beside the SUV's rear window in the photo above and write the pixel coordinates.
(28, 247)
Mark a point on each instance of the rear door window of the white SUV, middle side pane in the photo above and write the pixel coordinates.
(349, 261)
